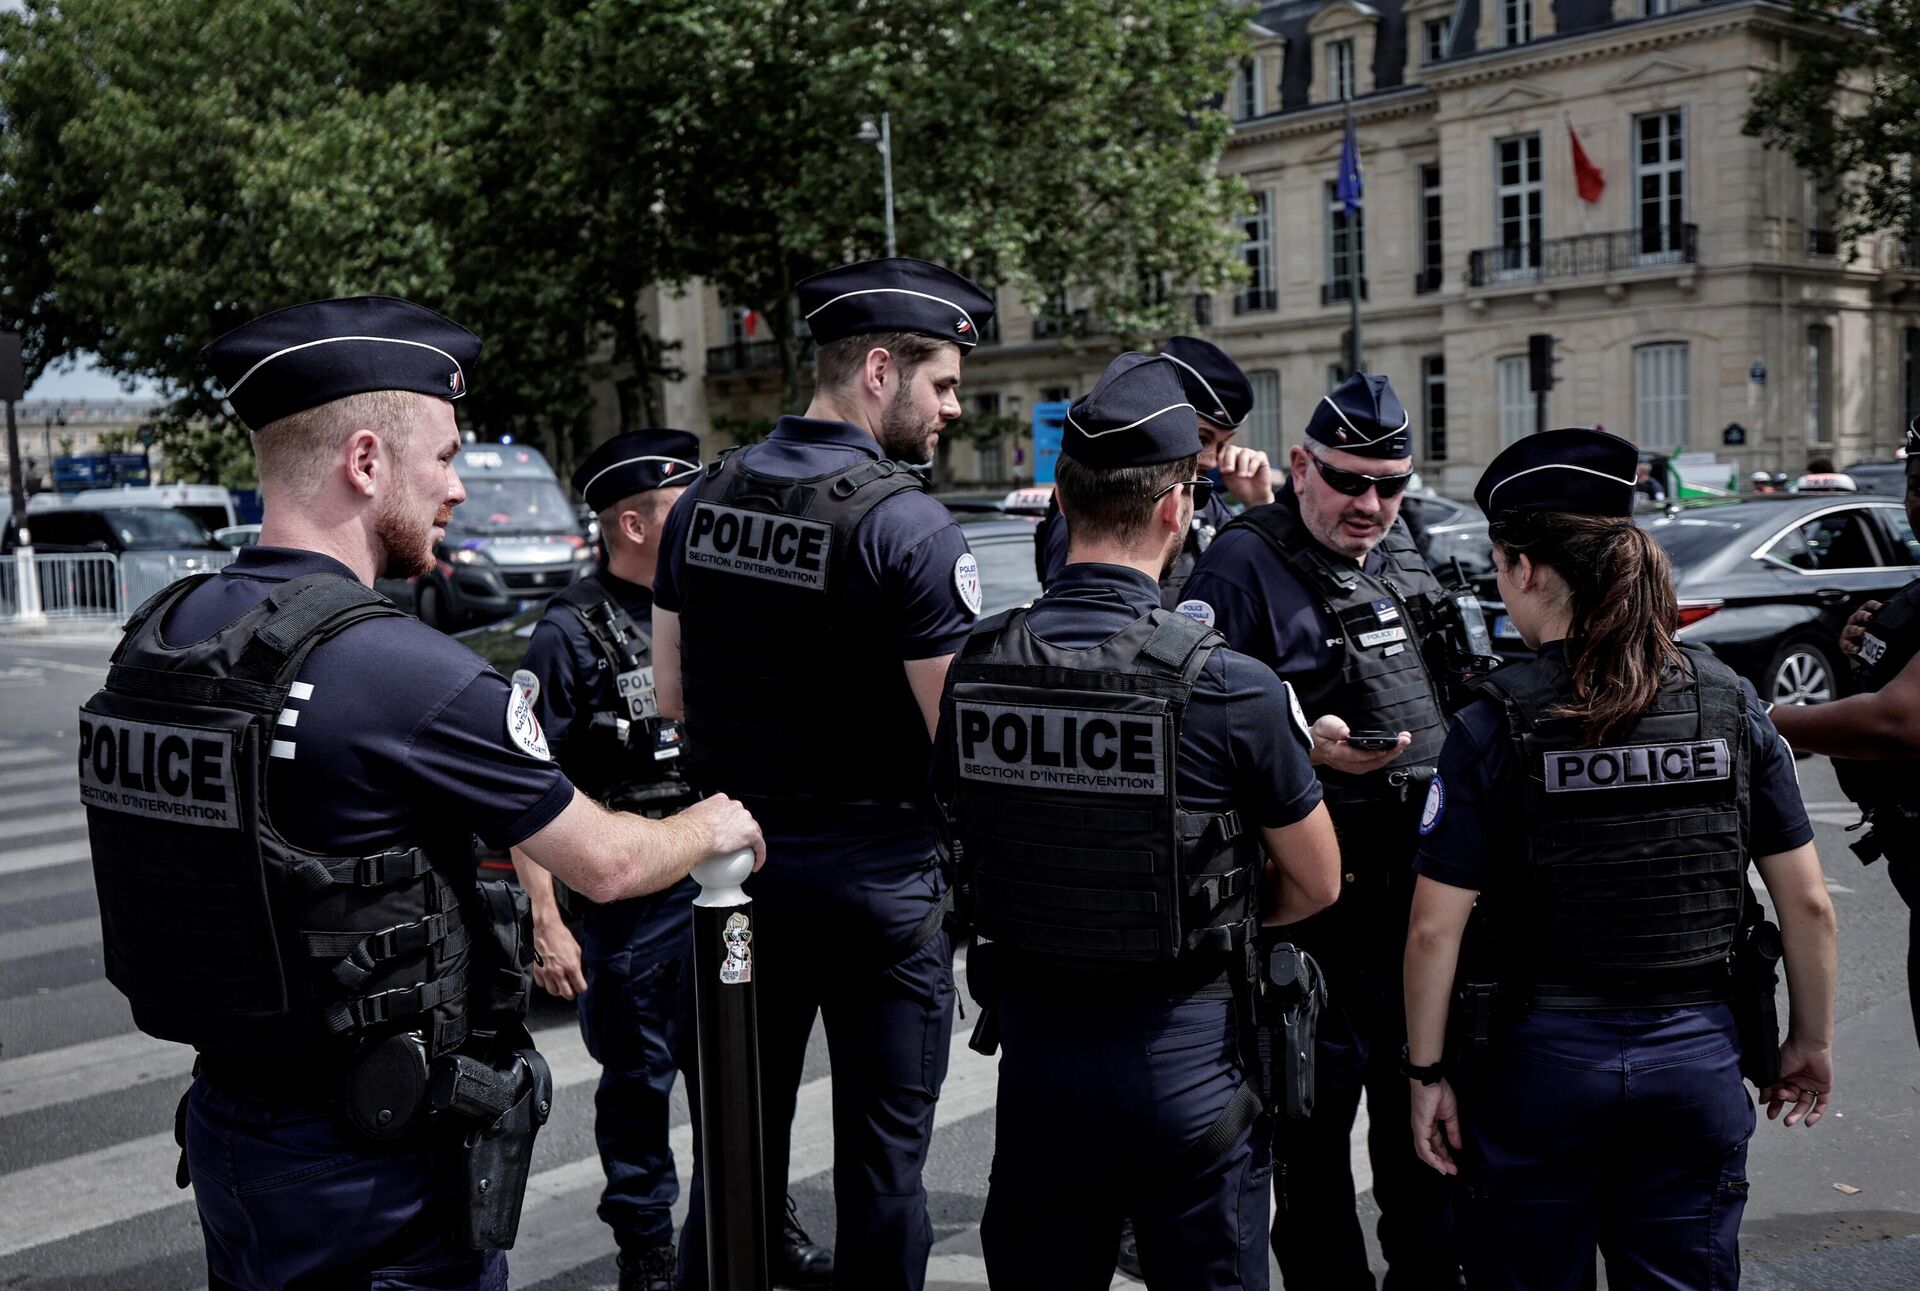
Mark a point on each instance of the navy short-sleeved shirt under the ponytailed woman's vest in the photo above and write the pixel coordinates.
(1472, 839)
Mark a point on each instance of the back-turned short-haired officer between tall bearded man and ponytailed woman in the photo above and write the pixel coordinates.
(1116, 779)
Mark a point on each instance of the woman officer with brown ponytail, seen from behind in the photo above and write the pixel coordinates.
(1602, 802)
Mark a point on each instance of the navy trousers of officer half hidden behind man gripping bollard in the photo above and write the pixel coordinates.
(636, 1019)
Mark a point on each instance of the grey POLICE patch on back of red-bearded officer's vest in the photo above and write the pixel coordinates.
(164, 773)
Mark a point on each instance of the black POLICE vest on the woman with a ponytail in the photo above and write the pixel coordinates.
(1635, 852)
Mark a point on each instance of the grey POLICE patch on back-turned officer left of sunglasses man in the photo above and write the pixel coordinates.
(1074, 750)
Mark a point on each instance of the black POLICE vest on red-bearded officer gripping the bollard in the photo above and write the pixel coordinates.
(220, 933)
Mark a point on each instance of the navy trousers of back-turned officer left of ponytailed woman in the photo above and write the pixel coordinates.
(1099, 1108)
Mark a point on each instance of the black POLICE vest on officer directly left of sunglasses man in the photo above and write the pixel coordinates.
(1074, 844)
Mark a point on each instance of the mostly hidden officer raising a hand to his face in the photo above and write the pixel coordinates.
(1222, 399)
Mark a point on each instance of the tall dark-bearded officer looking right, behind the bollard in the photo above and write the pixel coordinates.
(807, 606)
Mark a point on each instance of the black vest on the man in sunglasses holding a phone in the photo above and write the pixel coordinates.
(1383, 681)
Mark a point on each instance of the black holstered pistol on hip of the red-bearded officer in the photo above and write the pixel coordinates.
(504, 1109)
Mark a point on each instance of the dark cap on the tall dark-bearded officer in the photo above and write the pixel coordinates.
(896, 295)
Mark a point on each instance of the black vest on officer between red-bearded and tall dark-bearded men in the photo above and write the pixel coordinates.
(627, 756)
